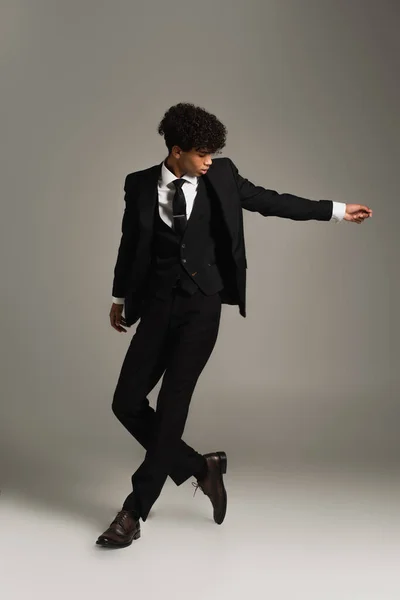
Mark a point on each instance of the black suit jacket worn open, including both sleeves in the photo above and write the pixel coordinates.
(234, 193)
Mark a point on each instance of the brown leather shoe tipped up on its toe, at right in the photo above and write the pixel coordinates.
(212, 483)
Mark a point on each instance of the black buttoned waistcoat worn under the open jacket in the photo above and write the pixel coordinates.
(189, 261)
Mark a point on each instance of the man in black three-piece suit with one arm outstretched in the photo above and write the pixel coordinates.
(182, 255)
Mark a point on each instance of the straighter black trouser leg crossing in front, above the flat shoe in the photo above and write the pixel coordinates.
(191, 339)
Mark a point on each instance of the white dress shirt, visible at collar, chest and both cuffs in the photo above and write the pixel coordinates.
(166, 191)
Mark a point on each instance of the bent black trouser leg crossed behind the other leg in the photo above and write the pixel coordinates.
(144, 364)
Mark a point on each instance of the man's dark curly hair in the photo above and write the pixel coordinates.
(189, 126)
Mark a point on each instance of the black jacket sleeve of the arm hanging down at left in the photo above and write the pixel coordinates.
(128, 243)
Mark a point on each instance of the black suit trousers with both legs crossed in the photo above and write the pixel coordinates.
(175, 338)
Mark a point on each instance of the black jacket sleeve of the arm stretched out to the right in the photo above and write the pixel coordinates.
(270, 203)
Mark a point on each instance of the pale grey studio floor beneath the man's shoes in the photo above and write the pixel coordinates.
(290, 532)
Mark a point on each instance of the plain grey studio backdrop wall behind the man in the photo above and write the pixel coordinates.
(309, 93)
